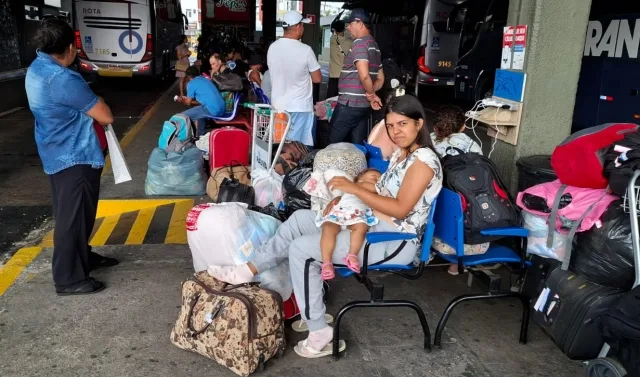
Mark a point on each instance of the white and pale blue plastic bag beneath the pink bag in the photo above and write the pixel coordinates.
(537, 239)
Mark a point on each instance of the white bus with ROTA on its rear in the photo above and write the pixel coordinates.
(126, 38)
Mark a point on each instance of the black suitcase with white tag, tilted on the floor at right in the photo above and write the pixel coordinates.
(569, 314)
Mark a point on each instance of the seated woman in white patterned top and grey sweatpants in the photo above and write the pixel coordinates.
(400, 202)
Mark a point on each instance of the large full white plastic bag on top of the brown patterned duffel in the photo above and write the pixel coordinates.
(226, 234)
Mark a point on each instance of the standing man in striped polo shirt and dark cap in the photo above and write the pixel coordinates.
(361, 78)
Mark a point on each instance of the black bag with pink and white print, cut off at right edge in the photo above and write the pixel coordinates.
(620, 172)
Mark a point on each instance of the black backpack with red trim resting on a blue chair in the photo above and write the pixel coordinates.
(485, 201)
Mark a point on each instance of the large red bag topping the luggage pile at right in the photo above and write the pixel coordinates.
(579, 160)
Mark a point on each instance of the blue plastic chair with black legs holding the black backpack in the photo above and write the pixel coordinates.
(449, 227)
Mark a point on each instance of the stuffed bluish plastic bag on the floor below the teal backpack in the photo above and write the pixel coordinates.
(176, 174)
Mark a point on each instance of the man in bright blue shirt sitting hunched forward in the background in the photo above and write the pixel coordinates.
(206, 98)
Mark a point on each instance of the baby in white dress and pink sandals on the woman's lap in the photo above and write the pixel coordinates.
(349, 212)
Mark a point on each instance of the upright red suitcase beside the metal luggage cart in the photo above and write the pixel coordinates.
(228, 145)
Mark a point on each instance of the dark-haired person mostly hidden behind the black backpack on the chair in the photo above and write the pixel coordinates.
(449, 139)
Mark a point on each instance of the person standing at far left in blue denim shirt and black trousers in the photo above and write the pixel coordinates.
(65, 108)
